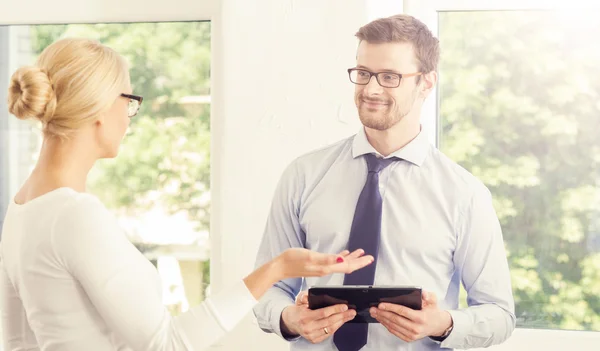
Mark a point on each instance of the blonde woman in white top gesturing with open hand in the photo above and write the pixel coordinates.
(70, 280)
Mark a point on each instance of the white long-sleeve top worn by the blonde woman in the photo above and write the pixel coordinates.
(70, 280)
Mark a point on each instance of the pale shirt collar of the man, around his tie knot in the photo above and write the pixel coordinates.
(414, 152)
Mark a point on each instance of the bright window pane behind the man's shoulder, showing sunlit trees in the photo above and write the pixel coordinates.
(520, 108)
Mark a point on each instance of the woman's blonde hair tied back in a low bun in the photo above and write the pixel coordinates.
(71, 84)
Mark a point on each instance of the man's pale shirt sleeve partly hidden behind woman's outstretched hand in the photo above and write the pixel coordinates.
(282, 231)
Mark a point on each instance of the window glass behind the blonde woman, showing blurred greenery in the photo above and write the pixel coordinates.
(158, 186)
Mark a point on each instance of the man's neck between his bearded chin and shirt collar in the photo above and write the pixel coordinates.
(395, 138)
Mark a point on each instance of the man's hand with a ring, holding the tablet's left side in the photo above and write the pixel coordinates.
(314, 325)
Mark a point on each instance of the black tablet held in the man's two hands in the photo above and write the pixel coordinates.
(362, 298)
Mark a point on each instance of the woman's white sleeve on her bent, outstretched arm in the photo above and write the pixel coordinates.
(124, 286)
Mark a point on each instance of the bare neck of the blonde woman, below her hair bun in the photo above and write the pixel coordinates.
(64, 163)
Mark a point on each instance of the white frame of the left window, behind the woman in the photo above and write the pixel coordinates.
(115, 11)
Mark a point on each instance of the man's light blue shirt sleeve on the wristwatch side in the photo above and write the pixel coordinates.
(481, 260)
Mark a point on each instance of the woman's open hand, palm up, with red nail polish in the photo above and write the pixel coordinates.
(299, 262)
